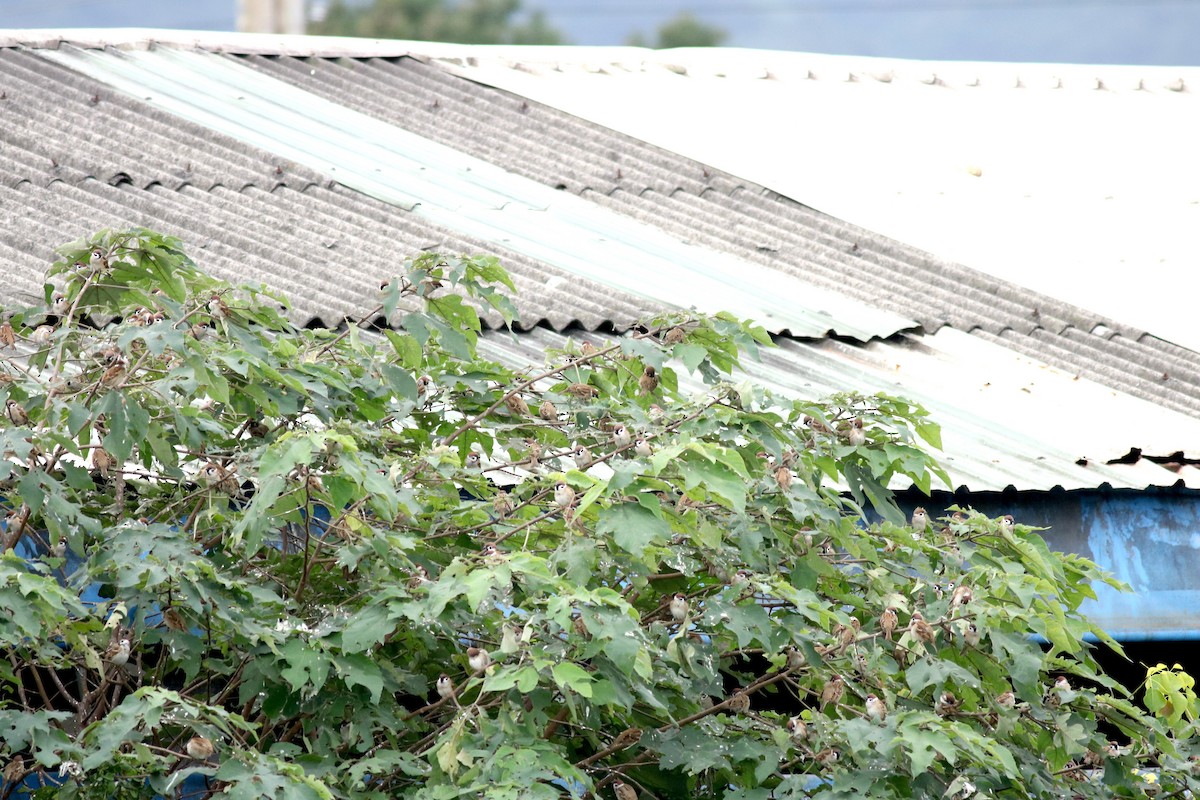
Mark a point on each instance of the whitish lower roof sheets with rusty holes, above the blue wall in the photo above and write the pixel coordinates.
(992, 406)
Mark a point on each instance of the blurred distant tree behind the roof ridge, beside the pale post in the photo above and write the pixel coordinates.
(471, 22)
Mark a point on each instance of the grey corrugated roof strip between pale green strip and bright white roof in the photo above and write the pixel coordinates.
(724, 213)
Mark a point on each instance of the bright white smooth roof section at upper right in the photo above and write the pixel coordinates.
(1060, 178)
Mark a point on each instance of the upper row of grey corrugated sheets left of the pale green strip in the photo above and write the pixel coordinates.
(152, 149)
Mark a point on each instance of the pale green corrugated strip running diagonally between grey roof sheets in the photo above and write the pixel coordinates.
(471, 196)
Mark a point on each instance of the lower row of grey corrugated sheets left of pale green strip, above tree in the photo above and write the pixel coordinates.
(221, 230)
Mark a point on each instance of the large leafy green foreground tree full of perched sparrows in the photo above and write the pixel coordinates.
(242, 556)
